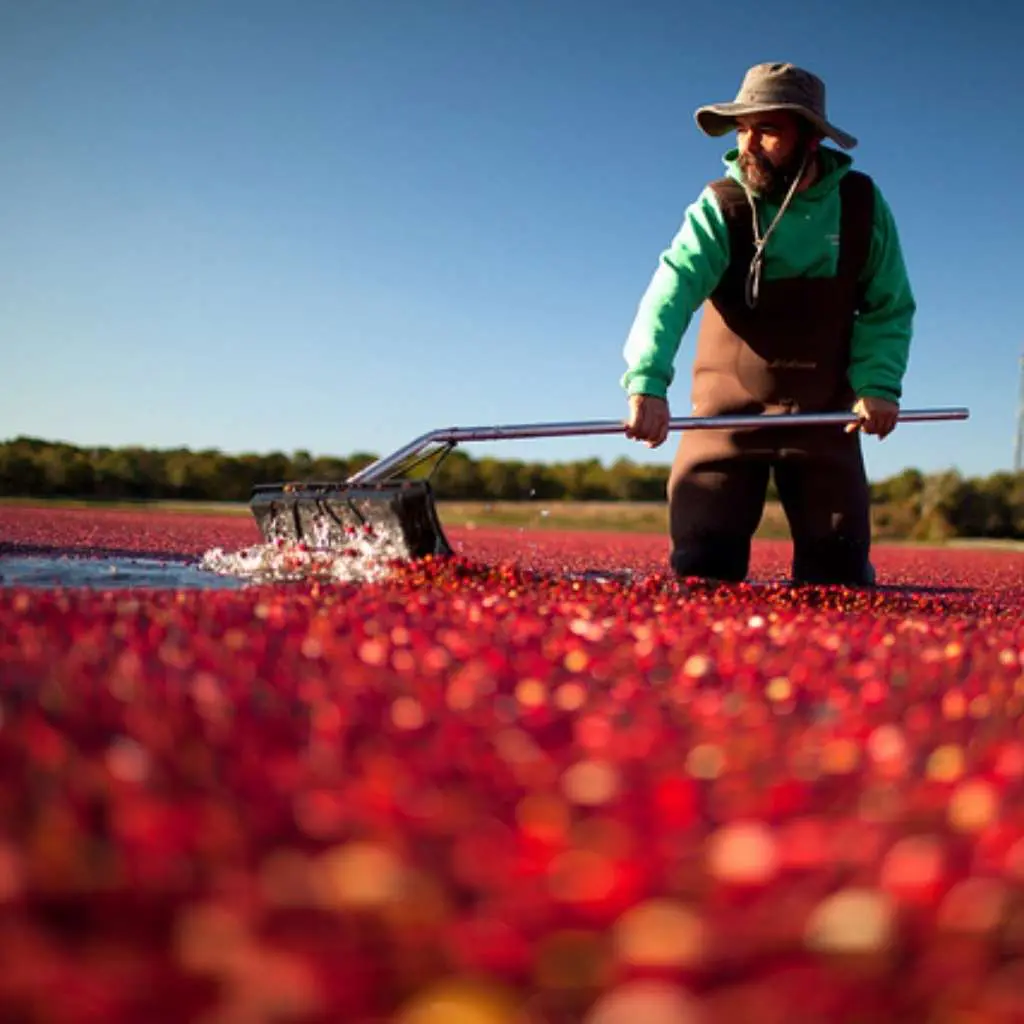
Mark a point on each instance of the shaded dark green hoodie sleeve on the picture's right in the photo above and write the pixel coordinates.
(881, 345)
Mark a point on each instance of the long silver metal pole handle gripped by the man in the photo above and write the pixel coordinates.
(454, 436)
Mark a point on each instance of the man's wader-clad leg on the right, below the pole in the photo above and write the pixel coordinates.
(827, 498)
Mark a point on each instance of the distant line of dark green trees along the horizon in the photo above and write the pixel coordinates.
(912, 504)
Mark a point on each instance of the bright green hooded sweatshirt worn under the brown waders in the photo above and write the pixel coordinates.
(804, 244)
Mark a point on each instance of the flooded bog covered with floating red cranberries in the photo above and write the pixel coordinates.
(538, 783)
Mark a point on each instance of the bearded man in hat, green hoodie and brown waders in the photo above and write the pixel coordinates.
(807, 308)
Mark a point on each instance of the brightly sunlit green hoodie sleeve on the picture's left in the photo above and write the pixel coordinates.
(688, 273)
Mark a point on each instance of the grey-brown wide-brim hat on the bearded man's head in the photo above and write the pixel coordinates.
(775, 88)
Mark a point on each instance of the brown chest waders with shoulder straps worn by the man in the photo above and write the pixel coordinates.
(789, 354)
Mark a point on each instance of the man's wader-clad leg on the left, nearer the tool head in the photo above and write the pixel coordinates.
(715, 504)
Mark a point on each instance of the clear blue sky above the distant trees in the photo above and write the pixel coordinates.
(333, 226)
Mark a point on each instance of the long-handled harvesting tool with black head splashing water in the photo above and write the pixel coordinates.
(379, 501)
